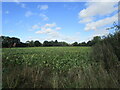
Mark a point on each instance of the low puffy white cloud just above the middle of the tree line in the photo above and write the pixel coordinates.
(52, 33)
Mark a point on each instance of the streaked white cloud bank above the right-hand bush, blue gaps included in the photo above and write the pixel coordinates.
(97, 16)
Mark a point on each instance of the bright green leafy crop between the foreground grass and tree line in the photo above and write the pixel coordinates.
(58, 58)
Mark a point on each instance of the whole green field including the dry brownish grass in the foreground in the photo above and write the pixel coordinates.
(53, 67)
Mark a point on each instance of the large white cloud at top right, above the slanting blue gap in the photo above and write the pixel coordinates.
(96, 9)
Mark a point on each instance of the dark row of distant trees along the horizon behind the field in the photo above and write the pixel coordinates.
(8, 42)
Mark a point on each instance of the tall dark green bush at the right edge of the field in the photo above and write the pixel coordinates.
(107, 51)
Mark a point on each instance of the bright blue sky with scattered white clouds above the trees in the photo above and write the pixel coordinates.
(62, 21)
